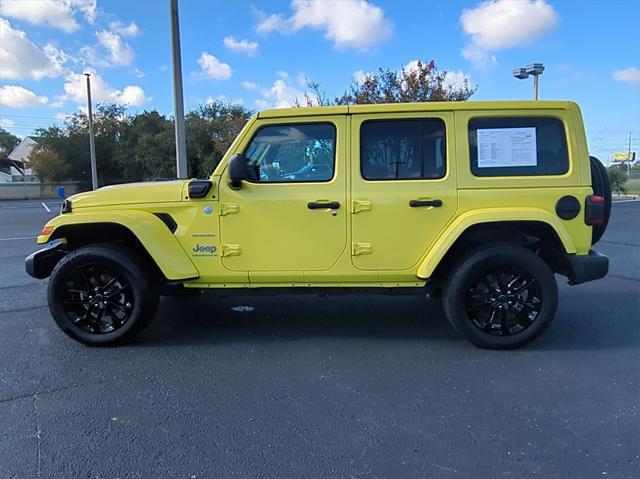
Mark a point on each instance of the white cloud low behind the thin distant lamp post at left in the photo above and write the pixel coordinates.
(75, 89)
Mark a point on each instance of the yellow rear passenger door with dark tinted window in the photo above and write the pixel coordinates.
(403, 187)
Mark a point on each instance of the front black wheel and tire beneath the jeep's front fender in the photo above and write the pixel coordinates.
(102, 294)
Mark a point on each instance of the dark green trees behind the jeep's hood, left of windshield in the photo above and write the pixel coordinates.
(141, 147)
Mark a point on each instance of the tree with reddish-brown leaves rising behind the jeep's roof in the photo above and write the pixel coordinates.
(421, 83)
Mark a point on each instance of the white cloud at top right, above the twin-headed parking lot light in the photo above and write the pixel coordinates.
(498, 24)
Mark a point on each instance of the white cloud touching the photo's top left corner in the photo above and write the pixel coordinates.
(59, 14)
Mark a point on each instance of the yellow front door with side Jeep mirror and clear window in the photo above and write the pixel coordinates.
(294, 217)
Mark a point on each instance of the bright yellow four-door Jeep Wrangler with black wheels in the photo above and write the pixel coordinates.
(479, 202)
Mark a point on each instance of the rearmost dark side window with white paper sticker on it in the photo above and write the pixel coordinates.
(518, 146)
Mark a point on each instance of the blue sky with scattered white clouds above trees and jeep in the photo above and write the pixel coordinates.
(262, 53)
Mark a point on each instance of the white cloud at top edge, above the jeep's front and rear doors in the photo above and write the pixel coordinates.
(348, 24)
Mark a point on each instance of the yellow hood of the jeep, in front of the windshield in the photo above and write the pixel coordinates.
(131, 193)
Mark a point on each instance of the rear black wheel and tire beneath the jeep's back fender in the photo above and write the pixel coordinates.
(476, 309)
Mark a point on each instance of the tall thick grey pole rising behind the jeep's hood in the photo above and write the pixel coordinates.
(178, 102)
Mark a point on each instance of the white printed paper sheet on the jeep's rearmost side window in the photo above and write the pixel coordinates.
(507, 147)
